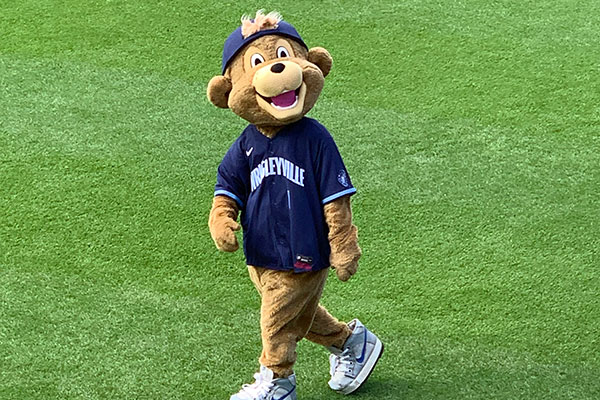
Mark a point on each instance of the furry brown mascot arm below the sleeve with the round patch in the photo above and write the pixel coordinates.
(343, 237)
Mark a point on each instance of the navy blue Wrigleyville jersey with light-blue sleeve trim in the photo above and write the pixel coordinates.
(281, 185)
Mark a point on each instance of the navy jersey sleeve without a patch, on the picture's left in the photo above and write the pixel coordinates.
(233, 177)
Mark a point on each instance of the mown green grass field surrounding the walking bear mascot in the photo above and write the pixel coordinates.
(470, 128)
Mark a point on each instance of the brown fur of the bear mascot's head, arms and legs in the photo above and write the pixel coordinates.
(290, 307)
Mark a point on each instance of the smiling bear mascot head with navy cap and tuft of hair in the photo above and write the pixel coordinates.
(269, 76)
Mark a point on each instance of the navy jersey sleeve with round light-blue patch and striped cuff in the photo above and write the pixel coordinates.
(332, 177)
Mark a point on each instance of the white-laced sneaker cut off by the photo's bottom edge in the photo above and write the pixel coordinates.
(267, 388)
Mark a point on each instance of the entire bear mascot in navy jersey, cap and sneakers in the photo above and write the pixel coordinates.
(286, 177)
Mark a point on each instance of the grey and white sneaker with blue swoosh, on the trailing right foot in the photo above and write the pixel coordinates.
(351, 366)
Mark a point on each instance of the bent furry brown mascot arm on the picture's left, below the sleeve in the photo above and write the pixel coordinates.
(222, 223)
